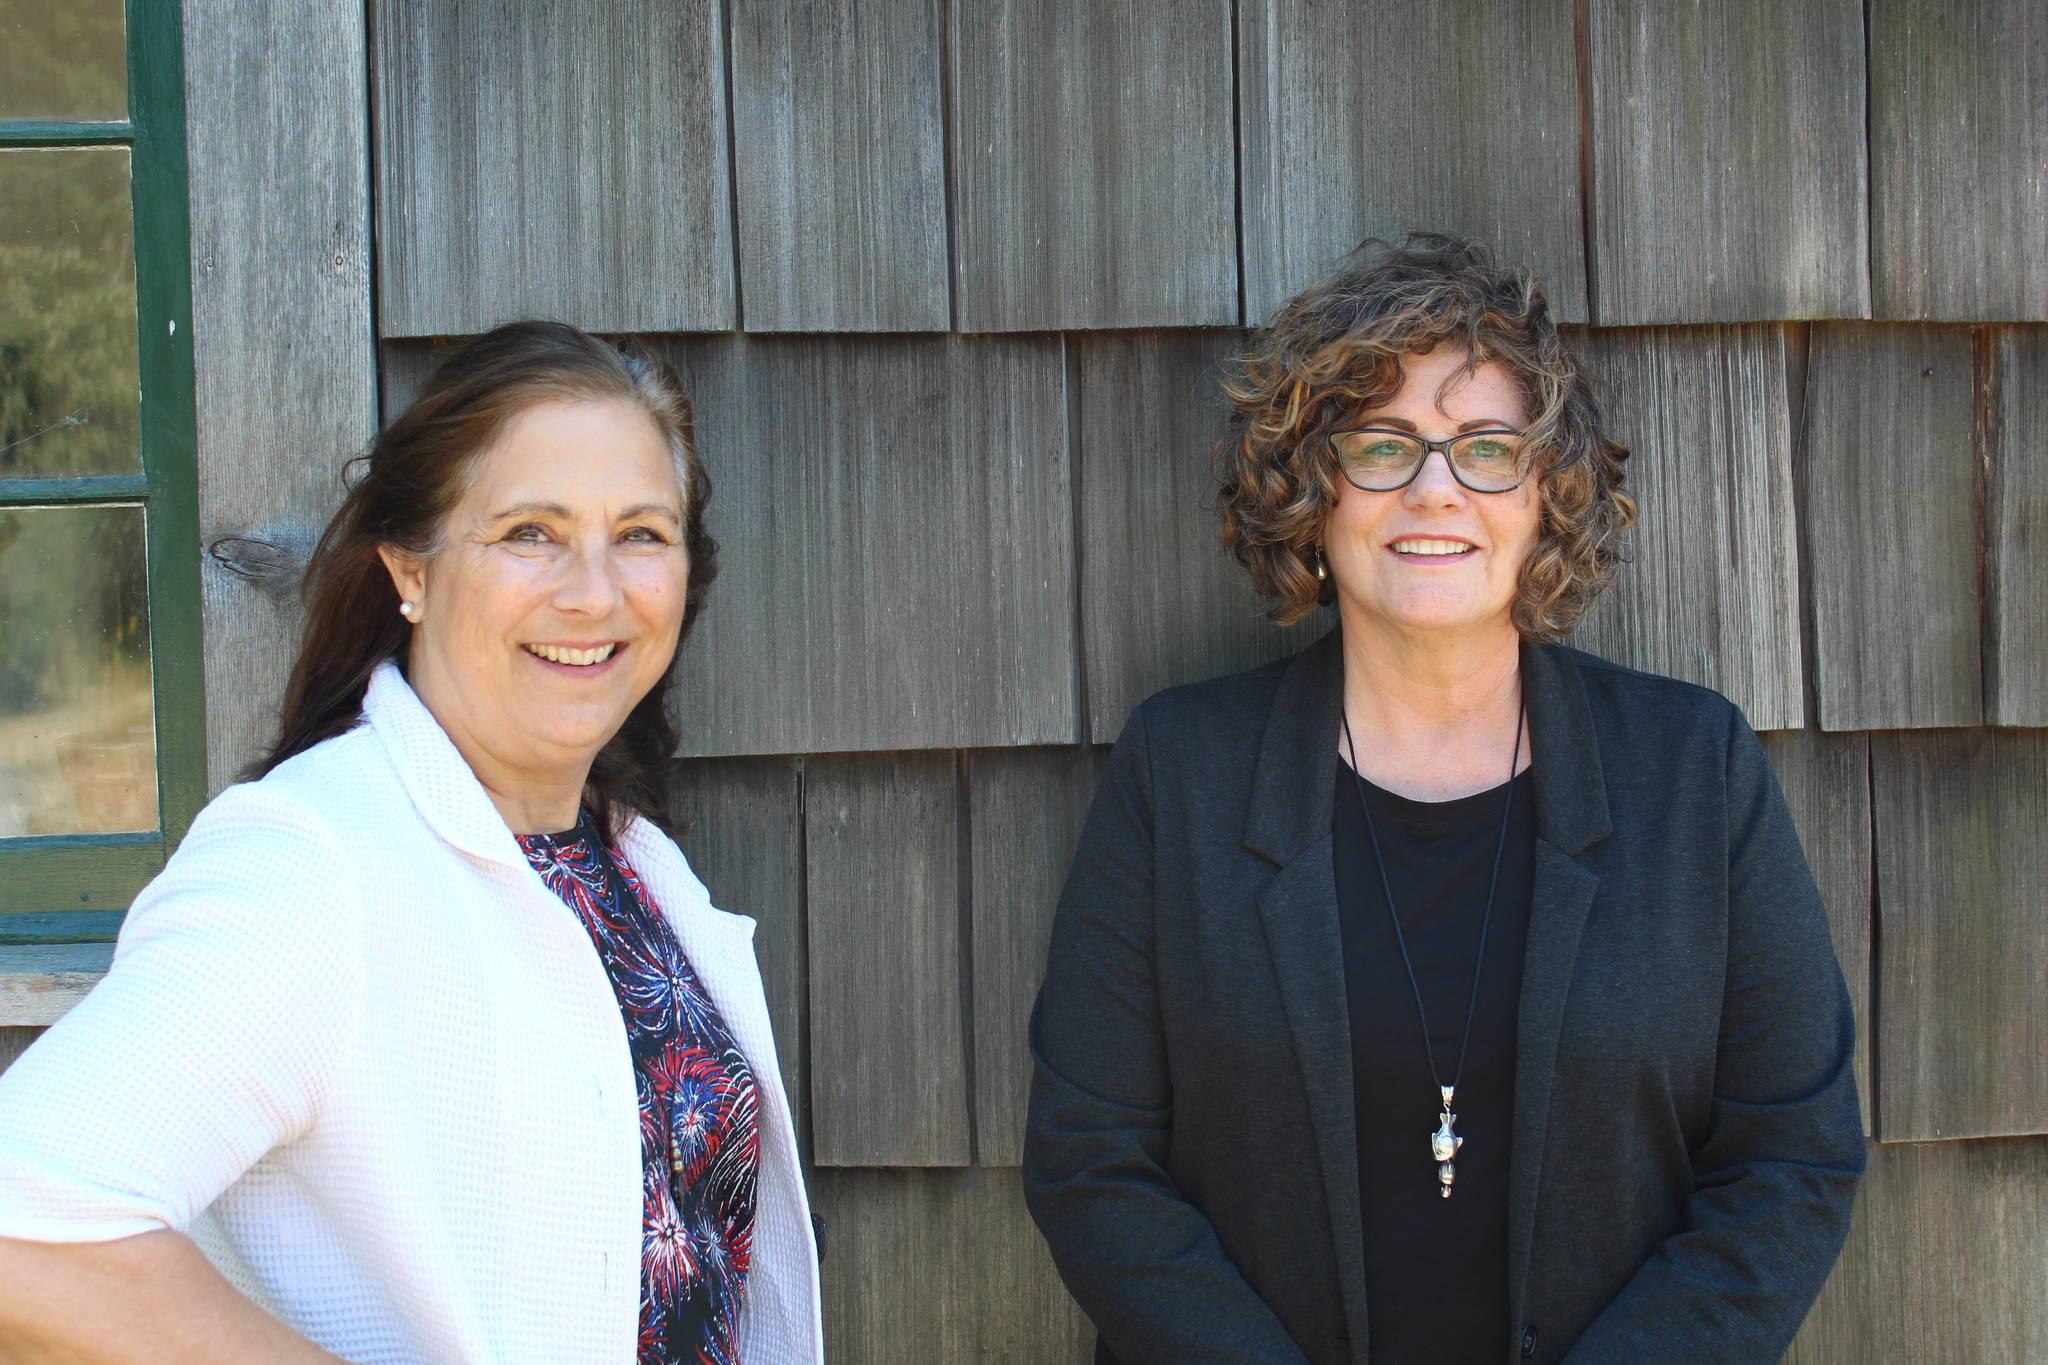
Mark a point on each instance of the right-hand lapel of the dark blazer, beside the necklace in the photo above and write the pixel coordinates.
(1572, 816)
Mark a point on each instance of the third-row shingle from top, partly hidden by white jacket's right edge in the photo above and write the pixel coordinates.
(740, 824)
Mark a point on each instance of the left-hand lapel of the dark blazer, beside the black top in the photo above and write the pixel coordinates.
(1289, 826)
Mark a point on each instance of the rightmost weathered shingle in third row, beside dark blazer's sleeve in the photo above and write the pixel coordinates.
(1963, 912)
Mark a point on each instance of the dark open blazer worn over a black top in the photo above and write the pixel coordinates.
(1687, 1139)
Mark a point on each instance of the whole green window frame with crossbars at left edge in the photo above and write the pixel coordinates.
(75, 887)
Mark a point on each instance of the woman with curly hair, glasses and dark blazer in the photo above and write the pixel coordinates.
(1441, 994)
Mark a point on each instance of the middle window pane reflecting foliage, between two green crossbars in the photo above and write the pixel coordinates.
(69, 380)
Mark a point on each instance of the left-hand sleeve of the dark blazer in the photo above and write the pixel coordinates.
(1134, 1251)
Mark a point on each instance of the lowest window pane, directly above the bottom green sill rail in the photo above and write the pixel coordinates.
(77, 713)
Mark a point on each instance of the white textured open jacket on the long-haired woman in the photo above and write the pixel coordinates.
(376, 1069)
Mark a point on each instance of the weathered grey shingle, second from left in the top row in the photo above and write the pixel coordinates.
(841, 165)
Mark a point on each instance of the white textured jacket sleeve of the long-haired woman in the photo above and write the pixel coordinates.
(212, 1041)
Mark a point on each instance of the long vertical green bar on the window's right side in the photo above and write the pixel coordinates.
(169, 408)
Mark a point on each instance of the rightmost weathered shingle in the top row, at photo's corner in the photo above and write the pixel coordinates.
(1959, 159)
